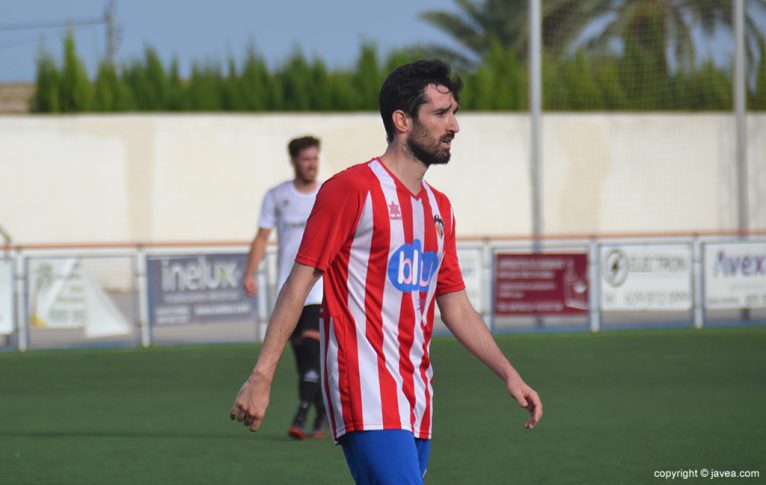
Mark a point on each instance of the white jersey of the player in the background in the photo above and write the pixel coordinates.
(287, 210)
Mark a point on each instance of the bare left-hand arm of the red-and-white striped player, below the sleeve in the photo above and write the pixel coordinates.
(253, 397)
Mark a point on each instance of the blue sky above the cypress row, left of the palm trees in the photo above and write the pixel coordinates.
(203, 30)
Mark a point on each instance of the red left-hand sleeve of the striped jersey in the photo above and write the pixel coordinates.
(332, 221)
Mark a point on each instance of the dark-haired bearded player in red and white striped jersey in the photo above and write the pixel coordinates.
(383, 240)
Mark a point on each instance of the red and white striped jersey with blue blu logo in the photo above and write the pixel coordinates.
(385, 255)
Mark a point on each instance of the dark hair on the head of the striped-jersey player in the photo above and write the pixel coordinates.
(405, 88)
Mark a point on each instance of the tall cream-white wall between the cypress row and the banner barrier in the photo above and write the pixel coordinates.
(201, 177)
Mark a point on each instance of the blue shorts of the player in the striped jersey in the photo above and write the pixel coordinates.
(392, 456)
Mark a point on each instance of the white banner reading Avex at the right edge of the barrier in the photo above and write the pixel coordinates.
(735, 275)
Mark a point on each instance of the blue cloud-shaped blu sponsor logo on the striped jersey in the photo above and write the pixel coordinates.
(412, 269)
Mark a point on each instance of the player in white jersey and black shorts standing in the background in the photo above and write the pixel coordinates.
(286, 207)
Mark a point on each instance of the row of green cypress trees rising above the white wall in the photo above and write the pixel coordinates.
(640, 79)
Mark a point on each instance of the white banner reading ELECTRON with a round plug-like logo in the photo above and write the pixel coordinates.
(646, 277)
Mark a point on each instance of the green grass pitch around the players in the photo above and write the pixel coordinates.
(618, 406)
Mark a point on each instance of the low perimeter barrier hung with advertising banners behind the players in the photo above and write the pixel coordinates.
(80, 295)
